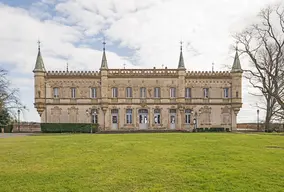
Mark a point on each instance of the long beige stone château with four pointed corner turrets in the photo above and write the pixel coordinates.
(139, 98)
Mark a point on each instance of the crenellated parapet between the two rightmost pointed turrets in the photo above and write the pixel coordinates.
(208, 74)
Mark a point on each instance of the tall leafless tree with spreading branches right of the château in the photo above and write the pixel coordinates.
(263, 44)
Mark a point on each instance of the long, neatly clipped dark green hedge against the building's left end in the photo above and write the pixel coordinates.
(68, 127)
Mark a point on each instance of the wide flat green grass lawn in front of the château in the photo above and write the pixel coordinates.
(143, 162)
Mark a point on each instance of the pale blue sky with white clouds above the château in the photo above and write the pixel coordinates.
(138, 33)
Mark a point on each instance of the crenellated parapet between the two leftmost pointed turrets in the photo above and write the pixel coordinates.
(73, 74)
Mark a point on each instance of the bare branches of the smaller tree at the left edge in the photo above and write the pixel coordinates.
(9, 100)
